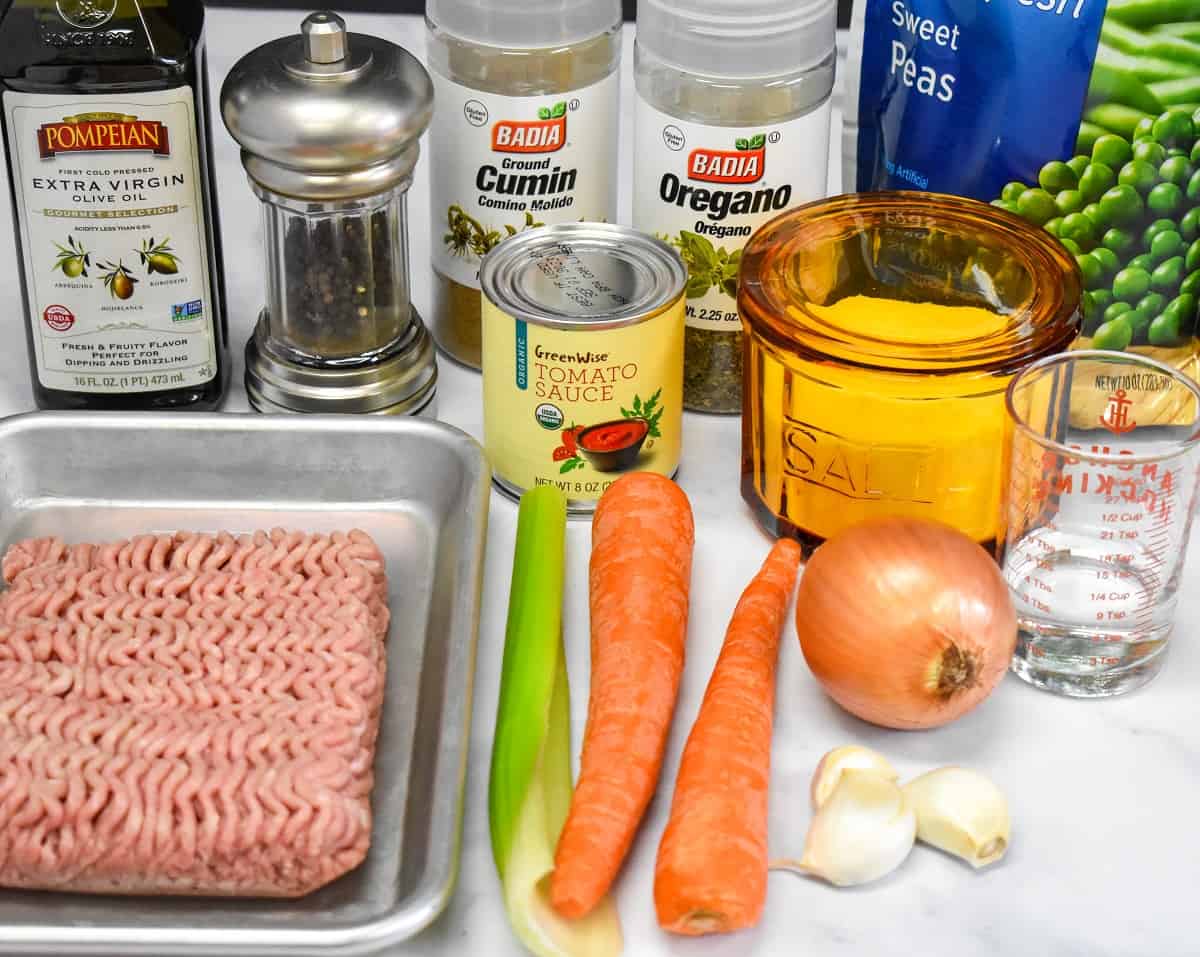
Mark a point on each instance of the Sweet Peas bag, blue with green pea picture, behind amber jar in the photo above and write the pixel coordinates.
(1081, 117)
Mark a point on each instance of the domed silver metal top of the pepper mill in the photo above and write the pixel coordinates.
(328, 115)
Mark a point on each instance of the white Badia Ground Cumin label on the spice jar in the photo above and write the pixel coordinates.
(503, 165)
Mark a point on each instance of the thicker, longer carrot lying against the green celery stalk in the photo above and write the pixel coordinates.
(643, 538)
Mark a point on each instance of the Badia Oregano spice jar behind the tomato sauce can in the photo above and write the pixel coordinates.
(731, 129)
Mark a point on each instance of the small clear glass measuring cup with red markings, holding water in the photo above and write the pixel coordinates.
(1102, 489)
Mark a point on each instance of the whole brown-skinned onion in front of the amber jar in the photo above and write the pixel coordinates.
(905, 623)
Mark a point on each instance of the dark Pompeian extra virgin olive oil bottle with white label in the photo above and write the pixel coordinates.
(106, 128)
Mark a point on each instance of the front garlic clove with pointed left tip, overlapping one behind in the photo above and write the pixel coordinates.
(863, 833)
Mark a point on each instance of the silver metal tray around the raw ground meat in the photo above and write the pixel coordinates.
(422, 490)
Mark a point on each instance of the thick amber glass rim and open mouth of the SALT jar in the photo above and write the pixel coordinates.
(911, 248)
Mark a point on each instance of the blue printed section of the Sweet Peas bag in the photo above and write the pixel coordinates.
(963, 97)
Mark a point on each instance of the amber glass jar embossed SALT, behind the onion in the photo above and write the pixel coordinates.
(883, 330)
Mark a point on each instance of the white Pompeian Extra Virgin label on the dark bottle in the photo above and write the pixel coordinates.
(113, 238)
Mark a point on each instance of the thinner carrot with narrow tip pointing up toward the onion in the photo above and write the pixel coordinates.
(712, 870)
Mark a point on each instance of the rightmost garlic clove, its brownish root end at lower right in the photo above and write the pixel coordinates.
(961, 812)
